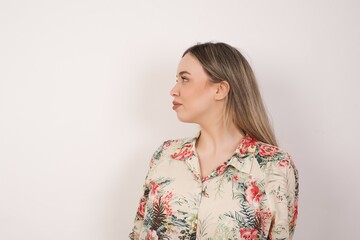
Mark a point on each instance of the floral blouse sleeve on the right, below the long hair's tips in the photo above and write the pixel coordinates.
(283, 191)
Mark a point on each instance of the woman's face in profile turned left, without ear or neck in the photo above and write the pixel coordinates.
(193, 92)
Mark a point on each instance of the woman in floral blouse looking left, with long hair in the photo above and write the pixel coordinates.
(229, 181)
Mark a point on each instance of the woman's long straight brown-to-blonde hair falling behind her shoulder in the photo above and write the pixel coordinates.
(244, 105)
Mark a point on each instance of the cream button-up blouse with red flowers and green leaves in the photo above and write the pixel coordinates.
(253, 195)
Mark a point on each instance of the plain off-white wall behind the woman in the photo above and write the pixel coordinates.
(84, 102)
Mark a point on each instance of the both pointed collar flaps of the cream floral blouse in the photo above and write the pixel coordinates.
(241, 159)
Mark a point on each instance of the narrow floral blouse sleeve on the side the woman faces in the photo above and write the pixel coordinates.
(139, 217)
